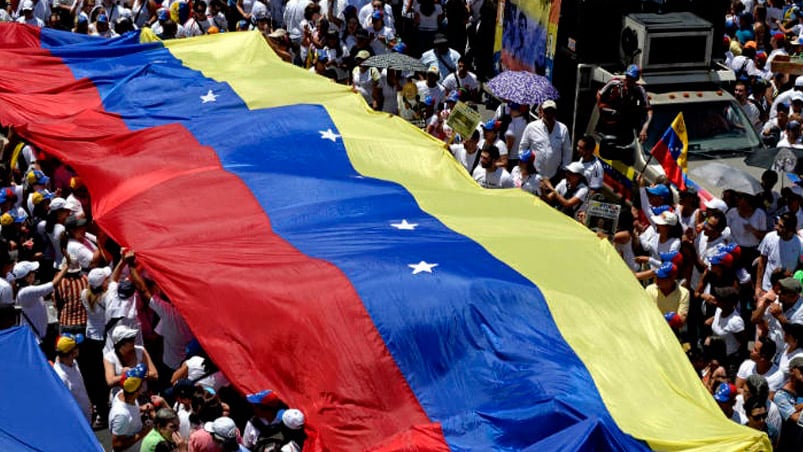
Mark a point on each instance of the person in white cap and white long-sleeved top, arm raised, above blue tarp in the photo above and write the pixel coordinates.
(32, 297)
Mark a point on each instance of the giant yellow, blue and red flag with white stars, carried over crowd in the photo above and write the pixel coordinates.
(342, 258)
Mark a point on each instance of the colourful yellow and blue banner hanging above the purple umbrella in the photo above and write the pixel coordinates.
(526, 35)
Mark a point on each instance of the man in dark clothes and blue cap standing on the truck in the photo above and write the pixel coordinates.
(624, 107)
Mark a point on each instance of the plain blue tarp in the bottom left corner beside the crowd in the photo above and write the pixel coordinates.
(38, 412)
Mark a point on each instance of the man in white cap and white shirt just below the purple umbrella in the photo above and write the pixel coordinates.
(549, 140)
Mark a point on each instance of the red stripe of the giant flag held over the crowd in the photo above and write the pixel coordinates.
(219, 238)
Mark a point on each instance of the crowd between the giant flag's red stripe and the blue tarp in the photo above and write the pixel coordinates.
(113, 337)
